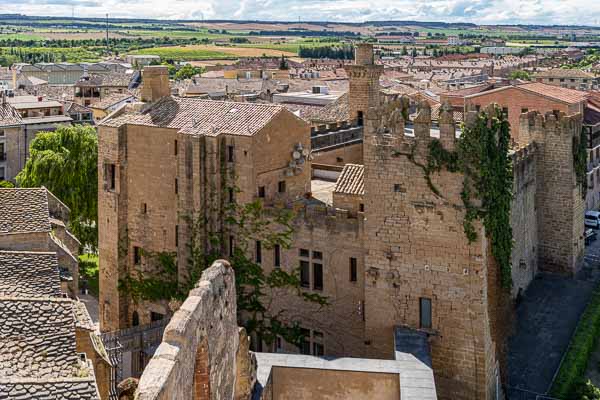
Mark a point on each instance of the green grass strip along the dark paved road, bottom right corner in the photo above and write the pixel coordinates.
(572, 370)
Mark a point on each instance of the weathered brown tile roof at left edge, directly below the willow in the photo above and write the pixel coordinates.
(24, 210)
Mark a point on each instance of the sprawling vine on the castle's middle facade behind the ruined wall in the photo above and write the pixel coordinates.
(254, 287)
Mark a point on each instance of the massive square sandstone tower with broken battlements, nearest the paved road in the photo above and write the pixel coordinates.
(418, 257)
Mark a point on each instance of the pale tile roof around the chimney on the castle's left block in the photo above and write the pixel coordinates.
(202, 117)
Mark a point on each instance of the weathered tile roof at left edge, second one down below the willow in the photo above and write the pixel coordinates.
(29, 274)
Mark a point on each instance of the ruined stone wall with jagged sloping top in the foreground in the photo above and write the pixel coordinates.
(197, 358)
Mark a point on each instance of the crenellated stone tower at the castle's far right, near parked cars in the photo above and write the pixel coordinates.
(559, 199)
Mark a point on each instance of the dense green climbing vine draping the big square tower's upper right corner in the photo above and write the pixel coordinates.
(482, 157)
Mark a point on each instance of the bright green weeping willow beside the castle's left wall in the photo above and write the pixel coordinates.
(66, 163)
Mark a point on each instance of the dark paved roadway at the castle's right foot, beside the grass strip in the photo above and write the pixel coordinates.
(546, 318)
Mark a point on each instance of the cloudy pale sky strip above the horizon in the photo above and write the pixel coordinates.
(584, 12)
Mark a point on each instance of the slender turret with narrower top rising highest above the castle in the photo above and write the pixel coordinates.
(364, 82)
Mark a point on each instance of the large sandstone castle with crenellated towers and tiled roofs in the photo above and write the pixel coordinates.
(387, 251)
